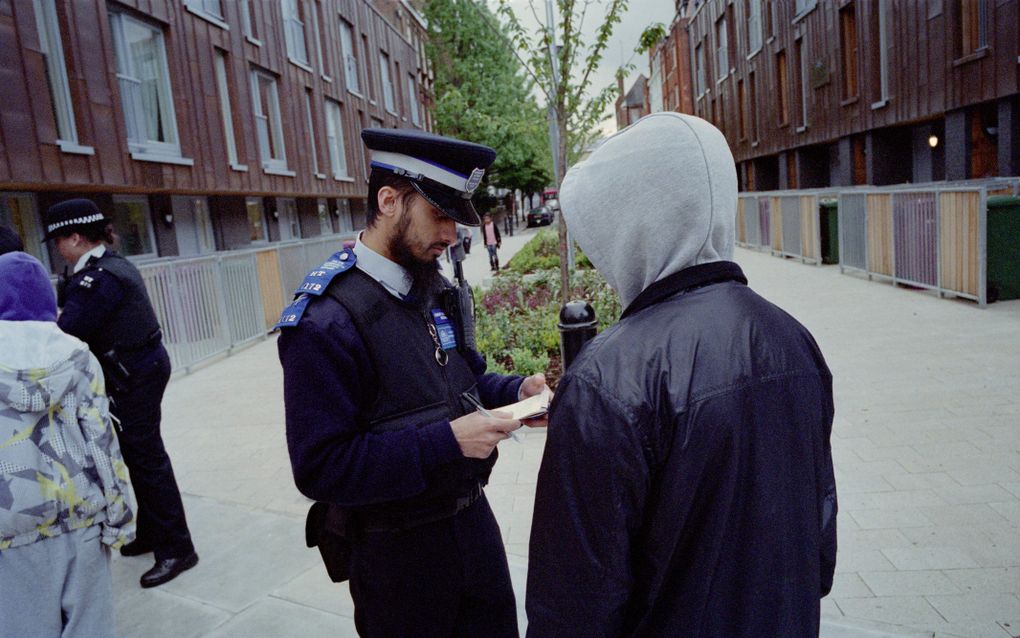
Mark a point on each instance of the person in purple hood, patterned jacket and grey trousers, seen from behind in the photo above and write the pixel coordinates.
(64, 484)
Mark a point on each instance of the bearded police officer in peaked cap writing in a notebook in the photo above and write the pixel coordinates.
(382, 392)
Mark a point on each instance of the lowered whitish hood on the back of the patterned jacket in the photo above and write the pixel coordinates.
(39, 364)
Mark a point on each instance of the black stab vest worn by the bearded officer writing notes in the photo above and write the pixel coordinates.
(410, 387)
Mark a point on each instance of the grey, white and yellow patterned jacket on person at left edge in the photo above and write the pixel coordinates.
(61, 465)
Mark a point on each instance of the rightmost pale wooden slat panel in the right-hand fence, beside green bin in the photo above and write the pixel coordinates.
(958, 242)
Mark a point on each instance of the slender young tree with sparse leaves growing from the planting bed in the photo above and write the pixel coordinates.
(569, 83)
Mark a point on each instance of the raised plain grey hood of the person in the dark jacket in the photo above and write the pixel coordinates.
(657, 198)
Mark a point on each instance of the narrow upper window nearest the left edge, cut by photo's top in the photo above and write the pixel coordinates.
(57, 77)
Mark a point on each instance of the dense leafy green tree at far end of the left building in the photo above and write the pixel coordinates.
(483, 93)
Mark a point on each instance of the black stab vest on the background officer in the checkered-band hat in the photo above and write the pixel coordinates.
(133, 324)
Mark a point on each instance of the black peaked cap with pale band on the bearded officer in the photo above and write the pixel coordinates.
(444, 171)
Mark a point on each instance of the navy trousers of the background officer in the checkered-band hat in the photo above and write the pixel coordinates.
(161, 512)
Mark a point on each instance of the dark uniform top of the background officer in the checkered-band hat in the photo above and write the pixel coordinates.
(108, 307)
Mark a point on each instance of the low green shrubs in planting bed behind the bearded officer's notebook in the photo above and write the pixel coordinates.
(517, 320)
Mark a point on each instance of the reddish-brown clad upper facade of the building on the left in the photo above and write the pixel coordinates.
(234, 111)
